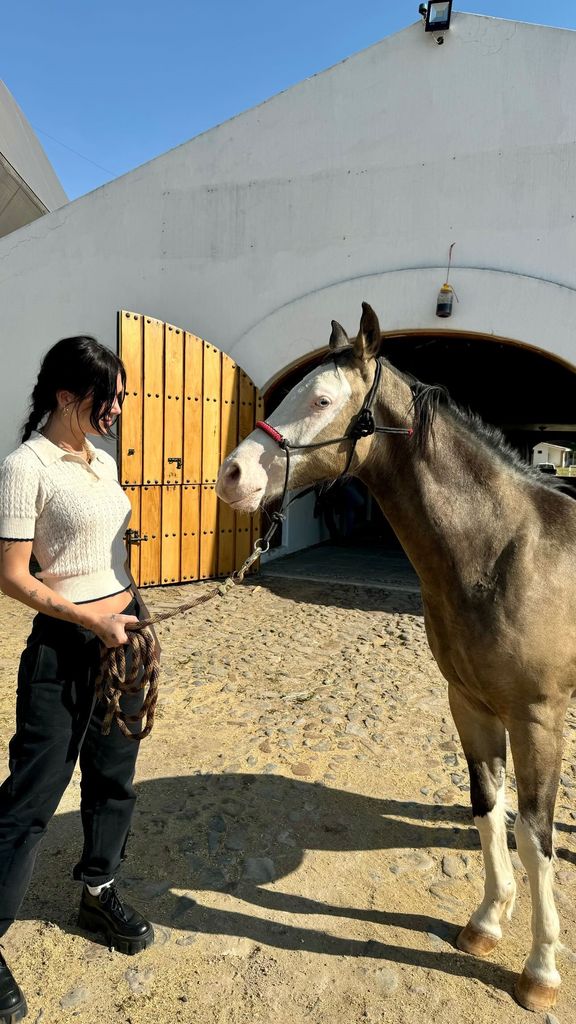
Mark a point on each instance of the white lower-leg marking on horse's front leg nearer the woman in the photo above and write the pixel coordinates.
(500, 888)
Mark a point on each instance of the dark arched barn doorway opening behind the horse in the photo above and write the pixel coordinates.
(525, 393)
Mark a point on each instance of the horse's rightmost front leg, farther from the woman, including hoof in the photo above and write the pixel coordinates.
(538, 755)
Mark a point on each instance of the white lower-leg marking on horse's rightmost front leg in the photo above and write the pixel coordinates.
(546, 925)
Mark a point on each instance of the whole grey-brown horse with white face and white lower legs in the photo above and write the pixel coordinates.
(493, 543)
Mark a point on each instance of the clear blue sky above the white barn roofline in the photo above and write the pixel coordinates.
(122, 81)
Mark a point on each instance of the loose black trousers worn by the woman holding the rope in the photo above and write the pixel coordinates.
(59, 721)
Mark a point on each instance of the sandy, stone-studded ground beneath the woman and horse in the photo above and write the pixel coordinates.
(303, 840)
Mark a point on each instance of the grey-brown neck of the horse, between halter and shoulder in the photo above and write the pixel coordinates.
(454, 507)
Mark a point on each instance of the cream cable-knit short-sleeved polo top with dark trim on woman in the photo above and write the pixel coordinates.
(76, 514)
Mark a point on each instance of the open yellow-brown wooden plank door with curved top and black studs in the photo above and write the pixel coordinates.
(187, 407)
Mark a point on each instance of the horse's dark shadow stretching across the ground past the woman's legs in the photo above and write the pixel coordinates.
(233, 833)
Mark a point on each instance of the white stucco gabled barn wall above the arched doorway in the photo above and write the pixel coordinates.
(349, 187)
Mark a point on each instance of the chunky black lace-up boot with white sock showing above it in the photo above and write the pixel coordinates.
(125, 928)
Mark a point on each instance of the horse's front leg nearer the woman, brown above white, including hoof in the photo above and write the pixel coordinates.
(484, 742)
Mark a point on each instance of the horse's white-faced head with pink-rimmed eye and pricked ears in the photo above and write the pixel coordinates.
(320, 408)
